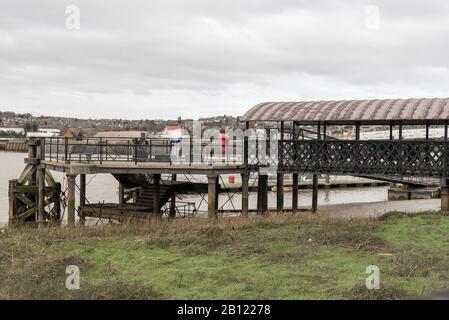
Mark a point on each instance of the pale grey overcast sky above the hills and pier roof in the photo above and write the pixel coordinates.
(192, 58)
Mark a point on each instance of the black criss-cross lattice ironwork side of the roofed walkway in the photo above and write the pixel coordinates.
(408, 158)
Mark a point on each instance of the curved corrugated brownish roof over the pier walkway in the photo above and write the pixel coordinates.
(351, 110)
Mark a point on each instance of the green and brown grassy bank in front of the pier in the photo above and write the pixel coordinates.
(277, 257)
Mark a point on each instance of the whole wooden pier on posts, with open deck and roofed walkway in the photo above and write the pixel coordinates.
(295, 141)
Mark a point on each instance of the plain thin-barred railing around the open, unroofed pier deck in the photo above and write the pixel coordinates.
(187, 151)
